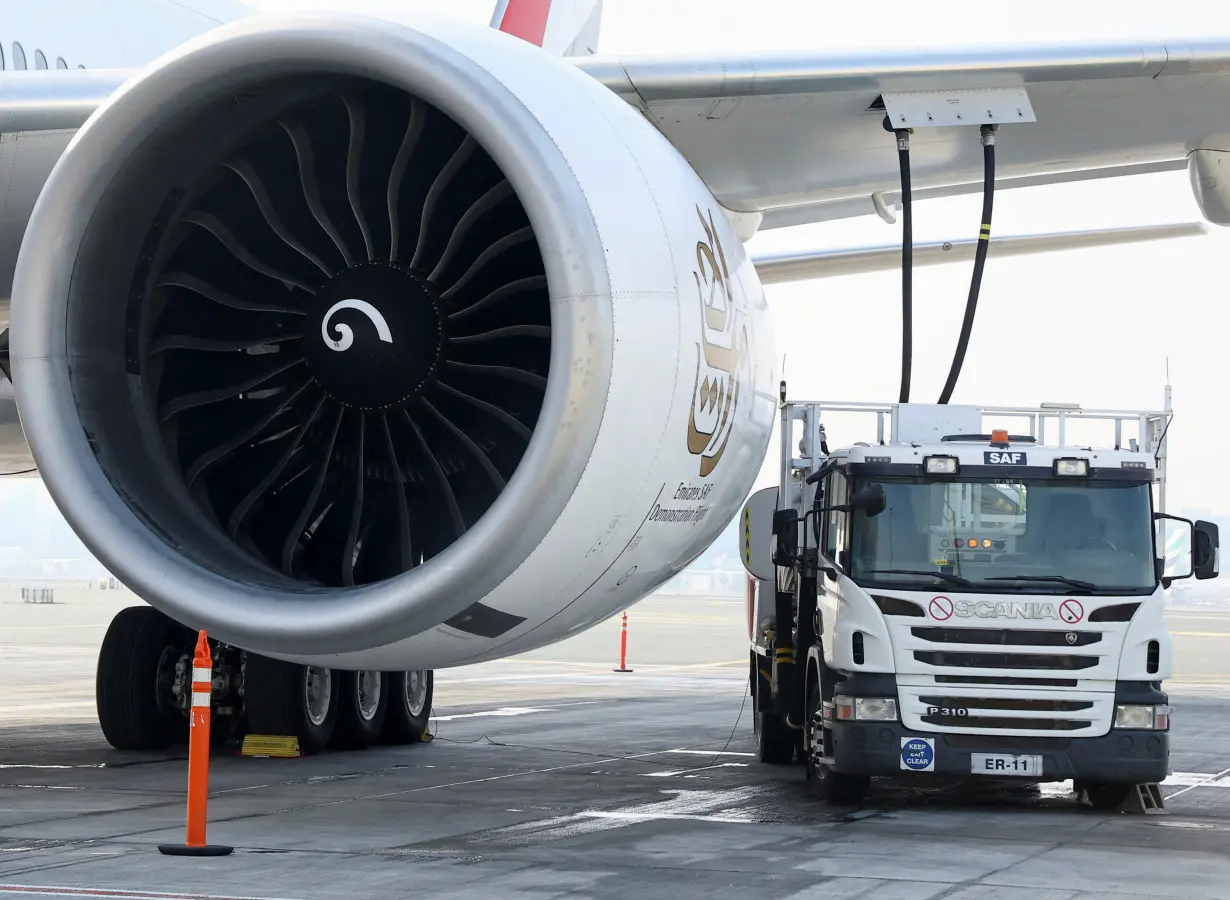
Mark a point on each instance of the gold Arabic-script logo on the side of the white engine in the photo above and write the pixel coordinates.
(721, 352)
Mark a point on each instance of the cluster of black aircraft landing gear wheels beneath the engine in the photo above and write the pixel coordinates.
(145, 684)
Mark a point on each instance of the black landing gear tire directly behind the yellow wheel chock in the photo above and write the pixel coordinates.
(284, 699)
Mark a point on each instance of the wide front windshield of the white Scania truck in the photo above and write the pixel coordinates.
(1035, 537)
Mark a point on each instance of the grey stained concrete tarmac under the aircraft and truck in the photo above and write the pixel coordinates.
(552, 776)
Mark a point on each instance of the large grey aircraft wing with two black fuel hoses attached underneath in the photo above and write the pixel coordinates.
(800, 137)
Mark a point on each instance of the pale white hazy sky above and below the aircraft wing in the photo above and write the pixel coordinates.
(1093, 328)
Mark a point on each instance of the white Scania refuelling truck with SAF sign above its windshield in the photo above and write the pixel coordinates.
(958, 599)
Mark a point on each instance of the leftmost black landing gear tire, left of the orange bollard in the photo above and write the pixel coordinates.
(135, 679)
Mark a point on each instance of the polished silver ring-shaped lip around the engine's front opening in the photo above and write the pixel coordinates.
(74, 394)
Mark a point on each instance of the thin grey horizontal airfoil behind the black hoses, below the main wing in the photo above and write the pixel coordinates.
(780, 269)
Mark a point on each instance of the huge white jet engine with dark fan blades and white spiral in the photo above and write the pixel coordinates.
(330, 333)
